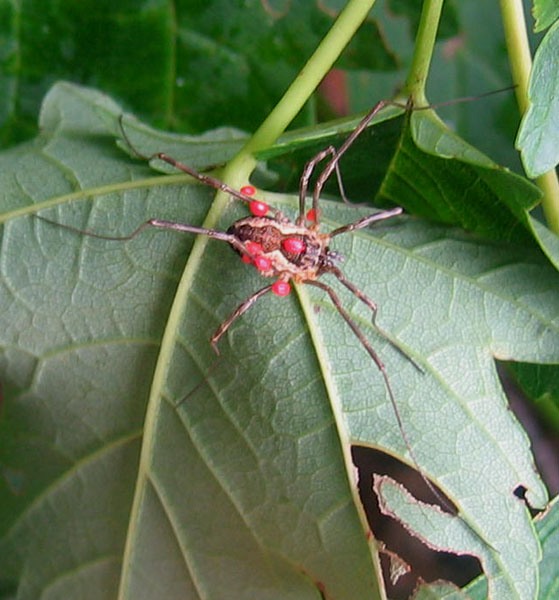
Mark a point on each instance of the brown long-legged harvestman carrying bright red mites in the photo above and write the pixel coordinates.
(288, 250)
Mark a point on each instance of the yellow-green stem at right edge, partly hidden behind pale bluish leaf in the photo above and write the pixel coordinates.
(520, 59)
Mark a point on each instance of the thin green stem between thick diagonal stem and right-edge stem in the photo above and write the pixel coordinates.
(423, 51)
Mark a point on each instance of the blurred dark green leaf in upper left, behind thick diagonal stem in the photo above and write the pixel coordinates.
(187, 64)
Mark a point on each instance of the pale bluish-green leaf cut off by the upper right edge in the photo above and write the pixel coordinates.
(538, 138)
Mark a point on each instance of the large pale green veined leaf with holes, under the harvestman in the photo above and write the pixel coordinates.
(132, 459)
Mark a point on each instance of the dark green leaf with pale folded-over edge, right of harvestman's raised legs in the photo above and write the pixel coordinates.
(441, 177)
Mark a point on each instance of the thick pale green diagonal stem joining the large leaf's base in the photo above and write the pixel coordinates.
(302, 87)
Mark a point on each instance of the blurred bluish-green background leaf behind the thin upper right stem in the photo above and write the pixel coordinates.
(473, 61)
